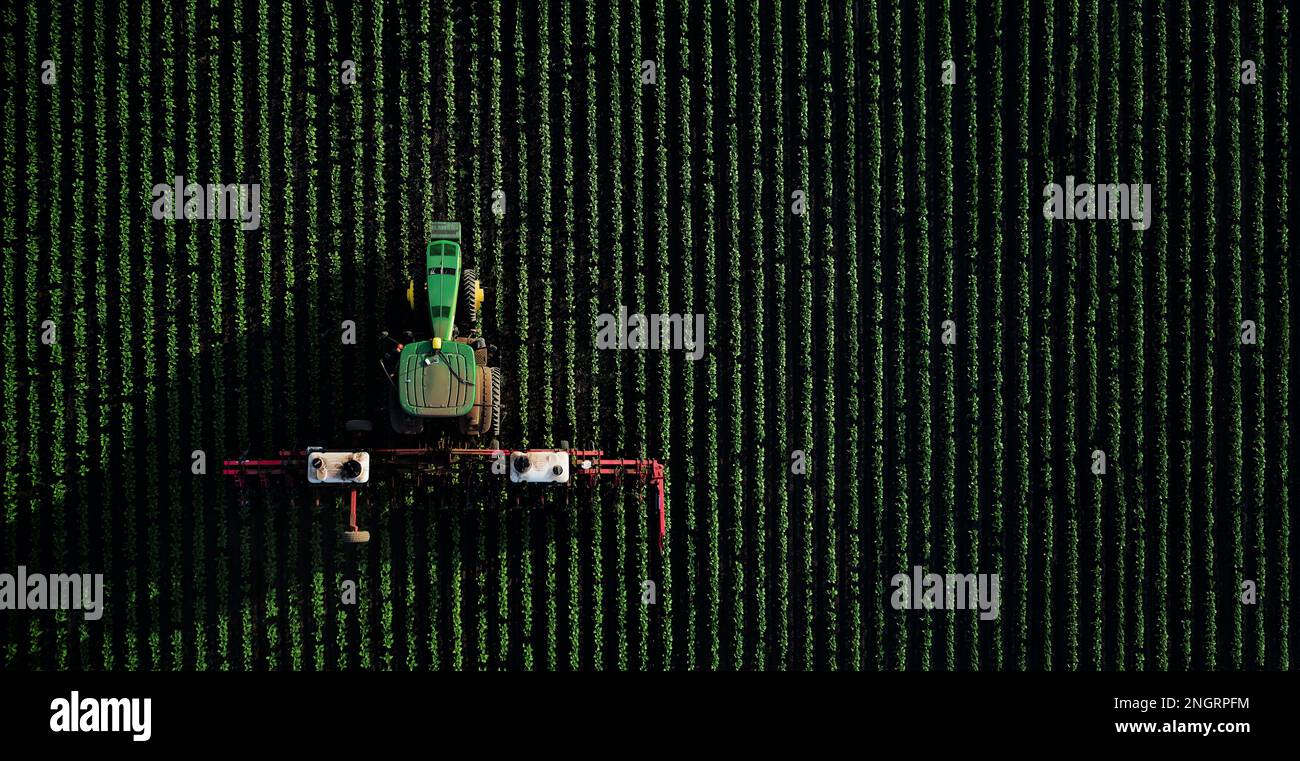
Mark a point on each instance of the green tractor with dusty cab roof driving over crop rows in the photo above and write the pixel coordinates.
(445, 377)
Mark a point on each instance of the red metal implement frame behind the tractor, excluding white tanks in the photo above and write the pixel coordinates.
(591, 464)
